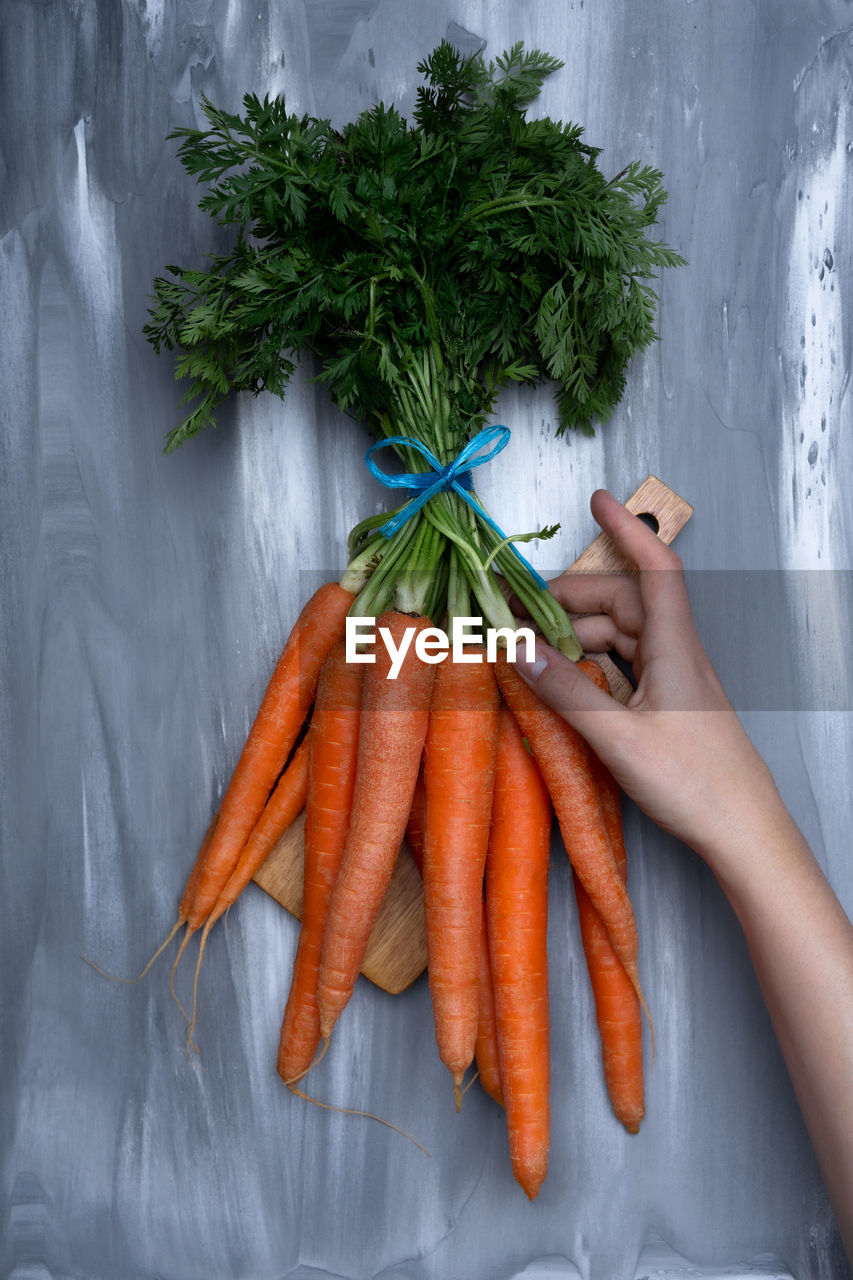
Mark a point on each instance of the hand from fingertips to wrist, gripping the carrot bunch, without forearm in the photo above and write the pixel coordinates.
(678, 747)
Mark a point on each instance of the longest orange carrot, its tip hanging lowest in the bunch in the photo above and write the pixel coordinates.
(517, 904)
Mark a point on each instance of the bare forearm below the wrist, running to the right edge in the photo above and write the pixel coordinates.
(802, 949)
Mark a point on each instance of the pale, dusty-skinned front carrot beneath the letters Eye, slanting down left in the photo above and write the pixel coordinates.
(391, 739)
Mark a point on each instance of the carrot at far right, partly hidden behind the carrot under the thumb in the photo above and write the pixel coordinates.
(618, 1009)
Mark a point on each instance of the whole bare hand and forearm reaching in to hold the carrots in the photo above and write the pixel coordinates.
(681, 752)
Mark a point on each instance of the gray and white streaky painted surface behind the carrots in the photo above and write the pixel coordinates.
(145, 598)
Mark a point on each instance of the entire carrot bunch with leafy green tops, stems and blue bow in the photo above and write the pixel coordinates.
(425, 266)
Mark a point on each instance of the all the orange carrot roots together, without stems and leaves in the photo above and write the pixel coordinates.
(467, 762)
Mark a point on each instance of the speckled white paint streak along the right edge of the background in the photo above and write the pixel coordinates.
(816, 456)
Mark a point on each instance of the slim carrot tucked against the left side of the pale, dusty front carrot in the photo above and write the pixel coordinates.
(334, 740)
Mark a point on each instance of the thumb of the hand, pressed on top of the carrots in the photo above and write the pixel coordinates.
(559, 683)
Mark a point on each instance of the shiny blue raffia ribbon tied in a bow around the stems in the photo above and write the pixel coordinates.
(457, 476)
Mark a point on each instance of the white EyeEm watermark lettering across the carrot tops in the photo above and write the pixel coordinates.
(435, 646)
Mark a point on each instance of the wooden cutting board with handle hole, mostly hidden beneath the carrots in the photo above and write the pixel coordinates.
(398, 950)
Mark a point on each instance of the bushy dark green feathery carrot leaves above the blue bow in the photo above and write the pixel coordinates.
(473, 239)
